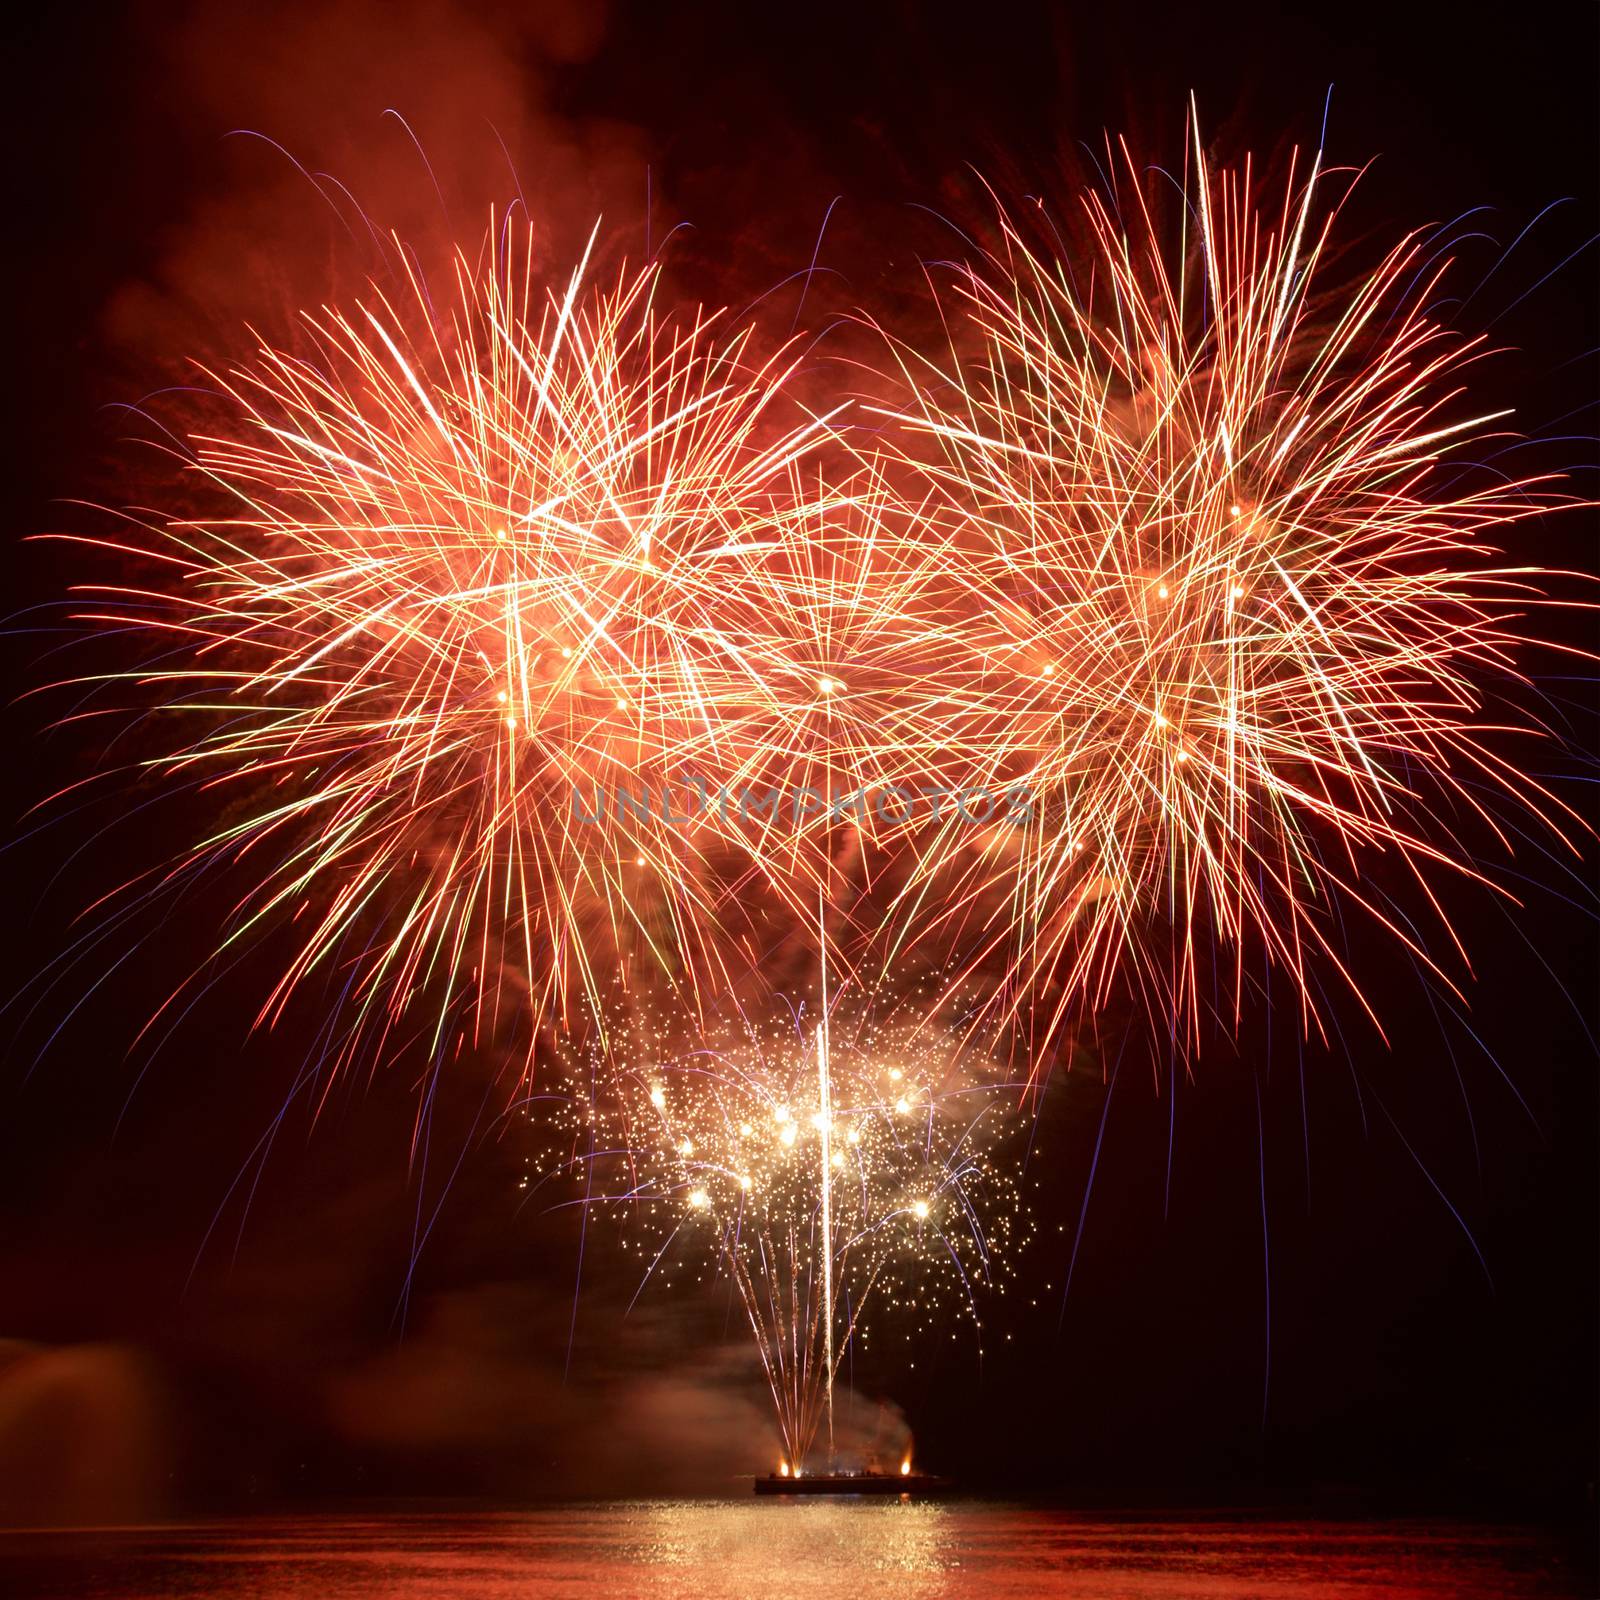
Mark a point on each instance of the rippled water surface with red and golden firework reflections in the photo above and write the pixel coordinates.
(833, 1550)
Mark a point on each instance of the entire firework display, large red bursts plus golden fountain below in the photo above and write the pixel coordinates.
(1177, 532)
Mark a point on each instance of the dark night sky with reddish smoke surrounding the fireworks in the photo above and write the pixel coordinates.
(151, 1364)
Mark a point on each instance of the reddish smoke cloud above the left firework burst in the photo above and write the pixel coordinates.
(321, 134)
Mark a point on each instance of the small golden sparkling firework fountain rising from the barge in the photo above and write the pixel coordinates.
(714, 1162)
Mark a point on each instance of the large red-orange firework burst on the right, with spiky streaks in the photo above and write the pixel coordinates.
(1217, 602)
